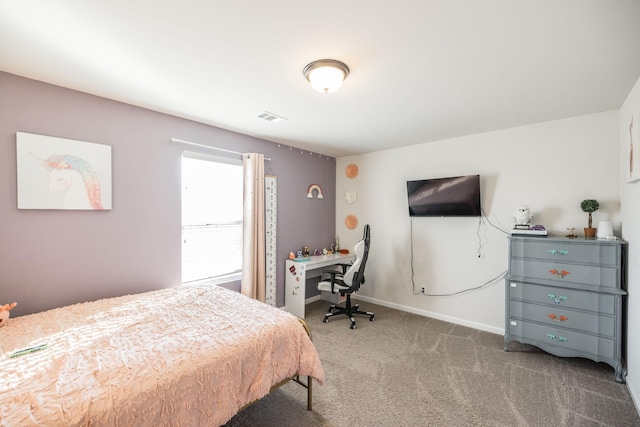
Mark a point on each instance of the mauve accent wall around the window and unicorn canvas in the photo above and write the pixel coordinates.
(50, 258)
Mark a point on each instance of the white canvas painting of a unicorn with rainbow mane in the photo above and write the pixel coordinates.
(58, 173)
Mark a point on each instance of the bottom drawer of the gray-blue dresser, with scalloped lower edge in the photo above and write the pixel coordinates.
(563, 342)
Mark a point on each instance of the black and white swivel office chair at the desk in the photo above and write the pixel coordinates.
(348, 281)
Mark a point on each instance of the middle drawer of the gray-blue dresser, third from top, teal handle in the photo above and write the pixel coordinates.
(562, 297)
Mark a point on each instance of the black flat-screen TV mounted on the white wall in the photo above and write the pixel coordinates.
(455, 196)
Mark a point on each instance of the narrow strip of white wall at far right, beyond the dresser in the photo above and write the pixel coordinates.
(630, 197)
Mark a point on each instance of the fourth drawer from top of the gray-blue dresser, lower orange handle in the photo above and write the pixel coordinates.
(563, 317)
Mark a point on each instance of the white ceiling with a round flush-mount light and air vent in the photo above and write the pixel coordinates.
(421, 70)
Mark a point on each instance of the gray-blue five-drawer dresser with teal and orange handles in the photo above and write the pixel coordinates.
(565, 296)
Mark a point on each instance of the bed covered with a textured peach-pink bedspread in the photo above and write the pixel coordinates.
(191, 355)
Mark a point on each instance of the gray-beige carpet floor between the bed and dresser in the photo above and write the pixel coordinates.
(407, 370)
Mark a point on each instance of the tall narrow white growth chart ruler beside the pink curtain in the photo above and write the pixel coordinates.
(270, 229)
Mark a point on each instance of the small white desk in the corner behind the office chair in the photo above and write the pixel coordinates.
(296, 274)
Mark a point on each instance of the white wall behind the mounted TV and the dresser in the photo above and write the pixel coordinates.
(549, 166)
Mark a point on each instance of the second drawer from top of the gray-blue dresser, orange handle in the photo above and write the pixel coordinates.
(561, 272)
